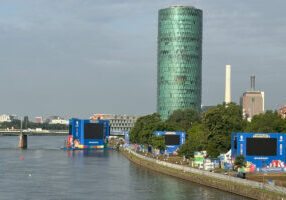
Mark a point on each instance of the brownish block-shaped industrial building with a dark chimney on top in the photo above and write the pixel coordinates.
(252, 101)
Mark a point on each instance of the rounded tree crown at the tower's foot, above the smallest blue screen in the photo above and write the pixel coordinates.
(183, 119)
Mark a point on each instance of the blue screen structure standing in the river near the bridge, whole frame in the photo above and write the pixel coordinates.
(88, 134)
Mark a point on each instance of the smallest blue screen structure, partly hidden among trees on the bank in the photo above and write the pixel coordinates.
(173, 139)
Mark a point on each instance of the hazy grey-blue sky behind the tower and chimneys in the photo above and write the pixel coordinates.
(73, 58)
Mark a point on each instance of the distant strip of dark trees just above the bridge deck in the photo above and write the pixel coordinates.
(16, 124)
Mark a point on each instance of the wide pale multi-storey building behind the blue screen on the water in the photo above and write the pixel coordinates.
(119, 124)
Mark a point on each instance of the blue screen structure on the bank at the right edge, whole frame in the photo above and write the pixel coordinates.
(262, 151)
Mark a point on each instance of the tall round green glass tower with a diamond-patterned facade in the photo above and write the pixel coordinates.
(179, 59)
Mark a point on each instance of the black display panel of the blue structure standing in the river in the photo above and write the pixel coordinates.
(93, 131)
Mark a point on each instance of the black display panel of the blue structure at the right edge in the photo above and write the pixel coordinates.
(261, 146)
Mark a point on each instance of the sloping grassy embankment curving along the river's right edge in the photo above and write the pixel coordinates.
(206, 180)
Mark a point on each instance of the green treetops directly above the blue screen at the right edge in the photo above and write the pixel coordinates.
(269, 122)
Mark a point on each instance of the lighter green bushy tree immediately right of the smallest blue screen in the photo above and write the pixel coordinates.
(196, 140)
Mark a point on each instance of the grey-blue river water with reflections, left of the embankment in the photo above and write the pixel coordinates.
(43, 171)
